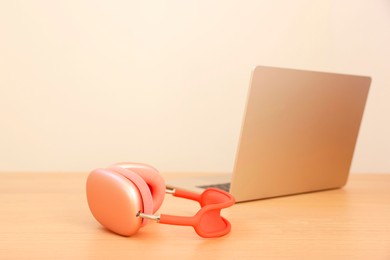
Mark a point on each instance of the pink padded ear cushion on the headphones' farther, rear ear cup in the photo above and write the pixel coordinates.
(153, 179)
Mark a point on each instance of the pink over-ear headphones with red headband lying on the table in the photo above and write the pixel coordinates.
(124, 196)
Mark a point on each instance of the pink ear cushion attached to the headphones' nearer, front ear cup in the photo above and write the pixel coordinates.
(142, 187)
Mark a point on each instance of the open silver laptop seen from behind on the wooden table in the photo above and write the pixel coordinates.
(298, 135)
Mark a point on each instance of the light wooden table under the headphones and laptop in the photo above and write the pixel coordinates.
(46, 216)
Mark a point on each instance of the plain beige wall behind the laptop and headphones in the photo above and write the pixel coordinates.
(87, 83)
